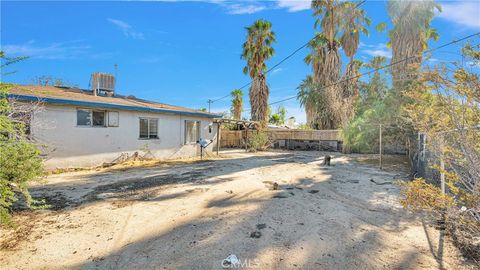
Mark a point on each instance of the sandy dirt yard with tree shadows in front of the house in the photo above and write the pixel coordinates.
(192, 216)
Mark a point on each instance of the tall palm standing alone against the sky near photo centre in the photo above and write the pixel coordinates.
(256, 50)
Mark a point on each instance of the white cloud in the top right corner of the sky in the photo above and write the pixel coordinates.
(464, 13)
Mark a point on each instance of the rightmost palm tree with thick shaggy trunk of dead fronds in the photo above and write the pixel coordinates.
(409, 37)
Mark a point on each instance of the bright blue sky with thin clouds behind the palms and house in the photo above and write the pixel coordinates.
(184, 53)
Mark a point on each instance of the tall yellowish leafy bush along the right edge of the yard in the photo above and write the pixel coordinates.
(444, 105)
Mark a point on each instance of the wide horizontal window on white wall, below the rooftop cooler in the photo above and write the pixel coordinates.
(97, 118)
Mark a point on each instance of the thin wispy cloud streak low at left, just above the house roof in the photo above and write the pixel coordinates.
(53, 51)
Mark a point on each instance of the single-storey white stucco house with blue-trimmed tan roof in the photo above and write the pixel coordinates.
(79, 128)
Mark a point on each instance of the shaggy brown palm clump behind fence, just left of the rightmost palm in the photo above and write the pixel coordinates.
(344, 19)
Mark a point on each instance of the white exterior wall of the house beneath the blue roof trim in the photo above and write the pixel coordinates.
(68, 145)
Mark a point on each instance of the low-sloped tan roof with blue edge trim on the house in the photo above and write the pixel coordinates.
(80, 97)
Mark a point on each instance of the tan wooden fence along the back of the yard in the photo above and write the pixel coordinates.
(236, 138)
